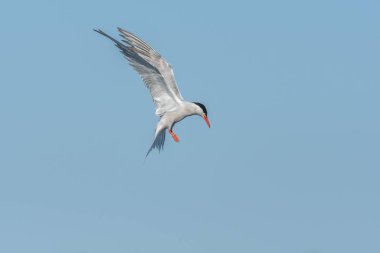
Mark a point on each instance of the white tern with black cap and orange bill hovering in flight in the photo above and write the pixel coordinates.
(158, 77)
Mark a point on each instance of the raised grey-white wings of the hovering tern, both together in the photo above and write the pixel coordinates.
(156, 73)
